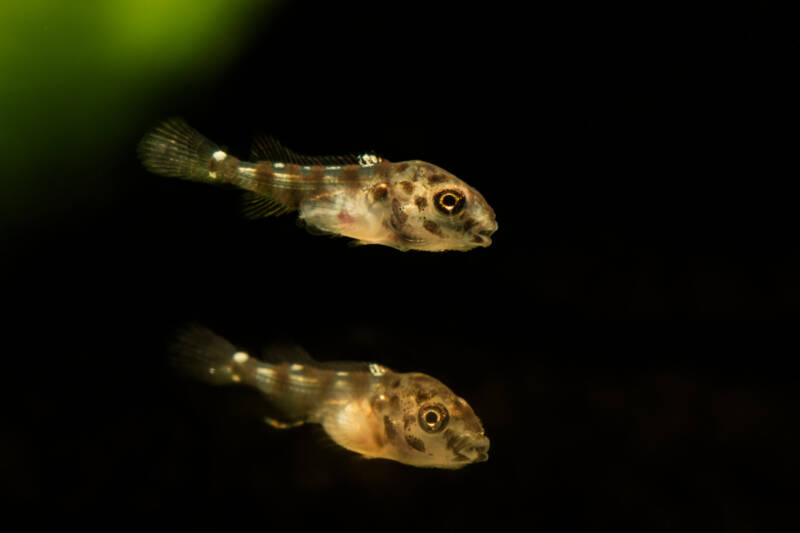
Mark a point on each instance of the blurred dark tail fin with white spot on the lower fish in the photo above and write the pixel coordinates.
(202, 354)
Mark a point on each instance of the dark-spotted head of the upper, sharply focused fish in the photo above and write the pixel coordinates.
(433, 210)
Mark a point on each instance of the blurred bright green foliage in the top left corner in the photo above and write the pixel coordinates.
(75, 77)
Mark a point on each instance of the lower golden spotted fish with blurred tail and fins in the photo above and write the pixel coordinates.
(364, 407)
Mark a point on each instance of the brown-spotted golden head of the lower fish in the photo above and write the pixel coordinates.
(425, 424)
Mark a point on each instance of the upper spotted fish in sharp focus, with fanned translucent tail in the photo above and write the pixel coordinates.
(411, 205)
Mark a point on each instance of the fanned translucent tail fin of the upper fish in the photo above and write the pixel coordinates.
(177, 150)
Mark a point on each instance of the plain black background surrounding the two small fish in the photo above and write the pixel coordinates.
(627, 340)
